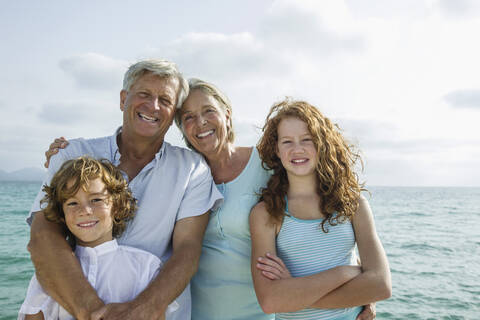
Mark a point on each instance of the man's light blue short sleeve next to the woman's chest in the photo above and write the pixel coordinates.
(201, 194)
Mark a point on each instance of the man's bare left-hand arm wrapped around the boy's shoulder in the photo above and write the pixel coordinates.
(58, 270)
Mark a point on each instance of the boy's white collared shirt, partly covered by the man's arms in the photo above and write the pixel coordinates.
(118, 273)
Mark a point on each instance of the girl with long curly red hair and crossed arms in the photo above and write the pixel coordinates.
(311, 215)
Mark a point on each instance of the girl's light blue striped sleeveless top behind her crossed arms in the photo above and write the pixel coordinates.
(306, 249)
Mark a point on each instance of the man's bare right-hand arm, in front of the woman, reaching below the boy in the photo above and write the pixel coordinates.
(172, 279)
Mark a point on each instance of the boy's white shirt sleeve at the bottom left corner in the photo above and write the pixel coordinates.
(37, 300)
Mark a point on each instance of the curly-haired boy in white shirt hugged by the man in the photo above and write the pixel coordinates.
(93, 201)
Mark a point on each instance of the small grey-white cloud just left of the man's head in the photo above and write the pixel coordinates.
(94, 71)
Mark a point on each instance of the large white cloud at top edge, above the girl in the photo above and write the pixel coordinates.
(304, 27)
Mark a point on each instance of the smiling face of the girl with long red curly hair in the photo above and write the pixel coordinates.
(295, 147)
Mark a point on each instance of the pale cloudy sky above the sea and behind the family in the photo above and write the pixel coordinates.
(400, 77)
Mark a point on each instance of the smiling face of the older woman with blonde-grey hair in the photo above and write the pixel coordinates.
(204, 122)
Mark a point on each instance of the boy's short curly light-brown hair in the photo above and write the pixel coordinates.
(83, 170)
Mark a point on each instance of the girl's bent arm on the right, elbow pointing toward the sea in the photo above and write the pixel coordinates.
(374, 283)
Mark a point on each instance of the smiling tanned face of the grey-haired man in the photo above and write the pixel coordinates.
(149, 106)
